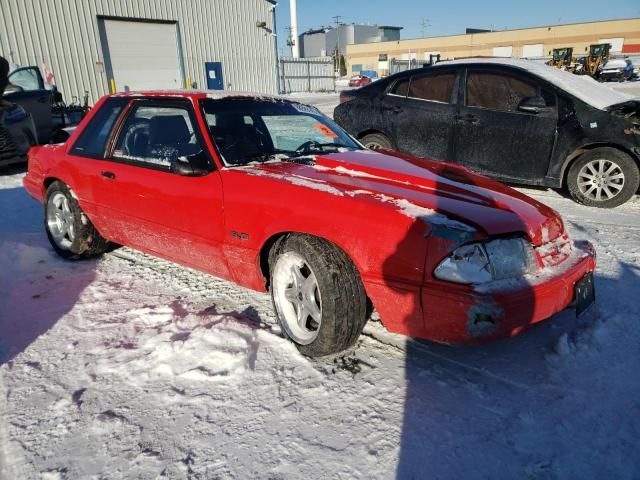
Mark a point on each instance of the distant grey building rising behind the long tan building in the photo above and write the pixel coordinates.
(324, 41)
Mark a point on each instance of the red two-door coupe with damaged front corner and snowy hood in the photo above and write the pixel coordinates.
(274, 196)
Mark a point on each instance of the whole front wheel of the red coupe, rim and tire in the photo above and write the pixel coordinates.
(317, 295)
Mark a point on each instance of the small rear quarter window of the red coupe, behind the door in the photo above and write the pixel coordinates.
(92, 141)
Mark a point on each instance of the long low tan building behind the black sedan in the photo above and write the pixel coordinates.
(539, 42)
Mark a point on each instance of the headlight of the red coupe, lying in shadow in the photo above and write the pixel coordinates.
(486, 261)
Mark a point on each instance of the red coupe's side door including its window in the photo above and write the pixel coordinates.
(173, 215)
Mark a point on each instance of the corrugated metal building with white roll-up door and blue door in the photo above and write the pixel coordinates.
(100, 46)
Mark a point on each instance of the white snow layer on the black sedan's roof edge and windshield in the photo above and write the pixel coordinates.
(582, 87)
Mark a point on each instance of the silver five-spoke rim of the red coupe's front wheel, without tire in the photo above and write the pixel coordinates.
(297, 298)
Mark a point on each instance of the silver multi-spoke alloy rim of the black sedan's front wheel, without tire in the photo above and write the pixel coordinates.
(600, 180)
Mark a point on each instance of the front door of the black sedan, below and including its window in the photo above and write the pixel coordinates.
(496, 134)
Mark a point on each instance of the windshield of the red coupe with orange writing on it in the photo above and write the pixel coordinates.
(265, 130)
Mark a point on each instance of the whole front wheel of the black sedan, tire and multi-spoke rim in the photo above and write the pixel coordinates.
(603, 177)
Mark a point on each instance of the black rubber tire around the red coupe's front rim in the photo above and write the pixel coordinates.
(343, 298)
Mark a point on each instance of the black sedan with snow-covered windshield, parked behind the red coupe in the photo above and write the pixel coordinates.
(515, 120)
